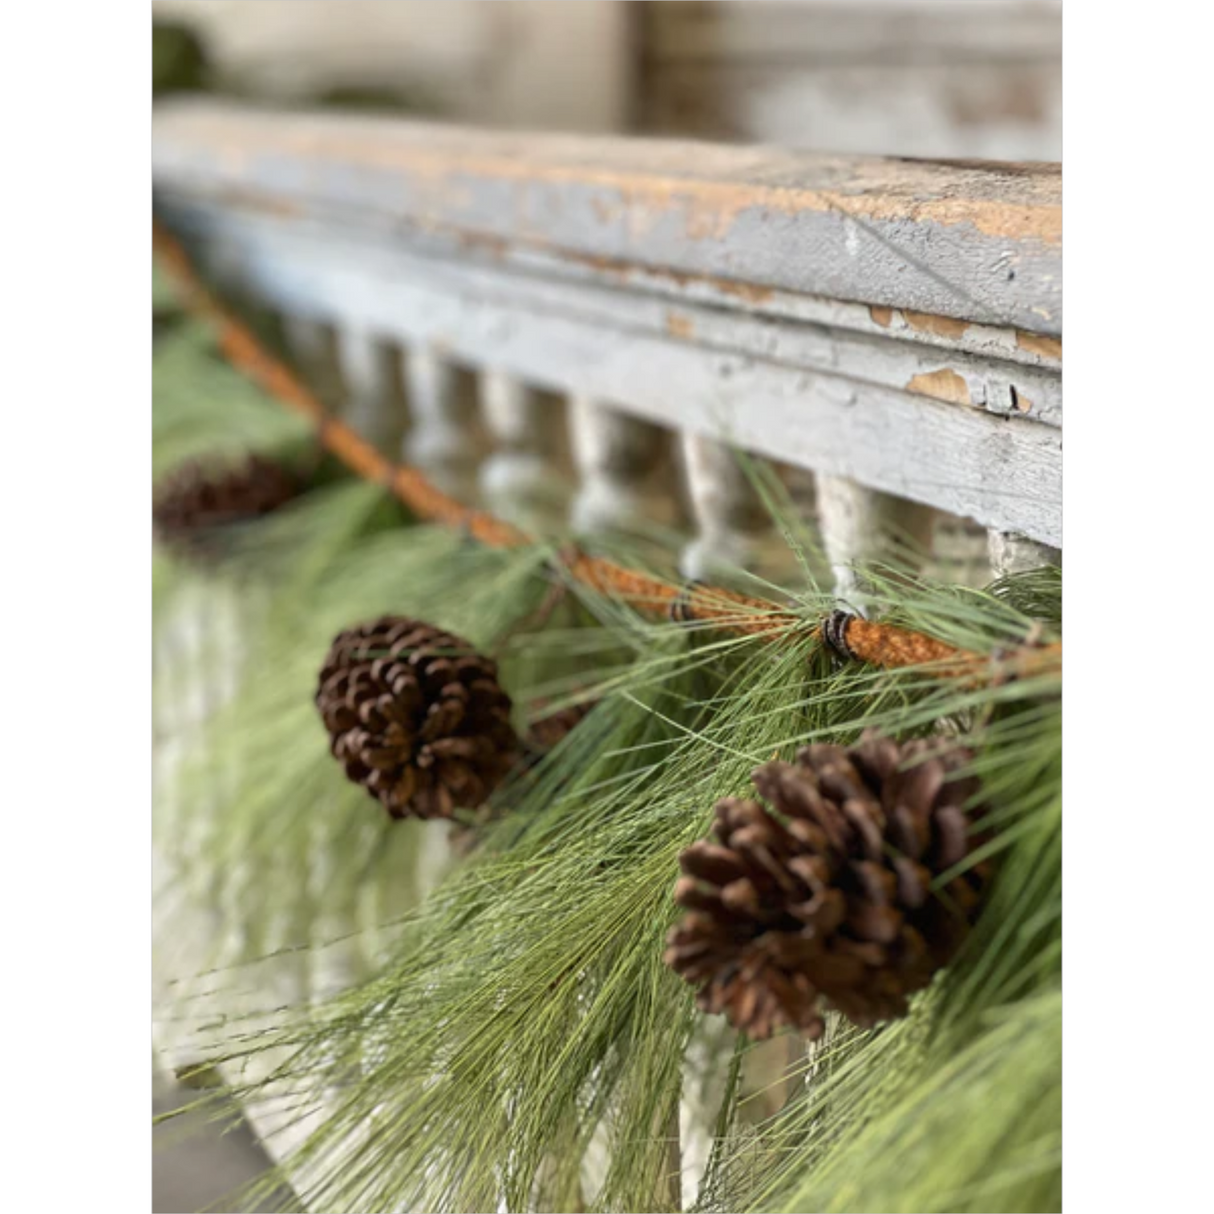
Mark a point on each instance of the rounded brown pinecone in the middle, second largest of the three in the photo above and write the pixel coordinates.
(417, 717)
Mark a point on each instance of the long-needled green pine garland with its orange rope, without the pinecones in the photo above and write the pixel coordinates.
(517, 1041)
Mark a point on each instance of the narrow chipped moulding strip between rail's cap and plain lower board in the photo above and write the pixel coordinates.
(818, 336)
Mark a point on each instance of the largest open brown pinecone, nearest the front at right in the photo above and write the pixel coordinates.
(826, 900)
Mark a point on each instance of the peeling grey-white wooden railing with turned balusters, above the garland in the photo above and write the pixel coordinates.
(893, 327)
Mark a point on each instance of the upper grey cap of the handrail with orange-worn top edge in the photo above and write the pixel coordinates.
(758, 219)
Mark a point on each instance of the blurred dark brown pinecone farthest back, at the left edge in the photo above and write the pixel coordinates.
(197, 498)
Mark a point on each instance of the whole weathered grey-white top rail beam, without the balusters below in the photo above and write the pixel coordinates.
(672, 302)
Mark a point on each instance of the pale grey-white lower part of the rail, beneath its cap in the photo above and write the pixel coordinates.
(812, 394)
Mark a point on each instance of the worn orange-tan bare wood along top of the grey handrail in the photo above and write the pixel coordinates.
(712, 186)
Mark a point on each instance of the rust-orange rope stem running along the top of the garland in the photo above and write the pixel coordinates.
(870, 642)
